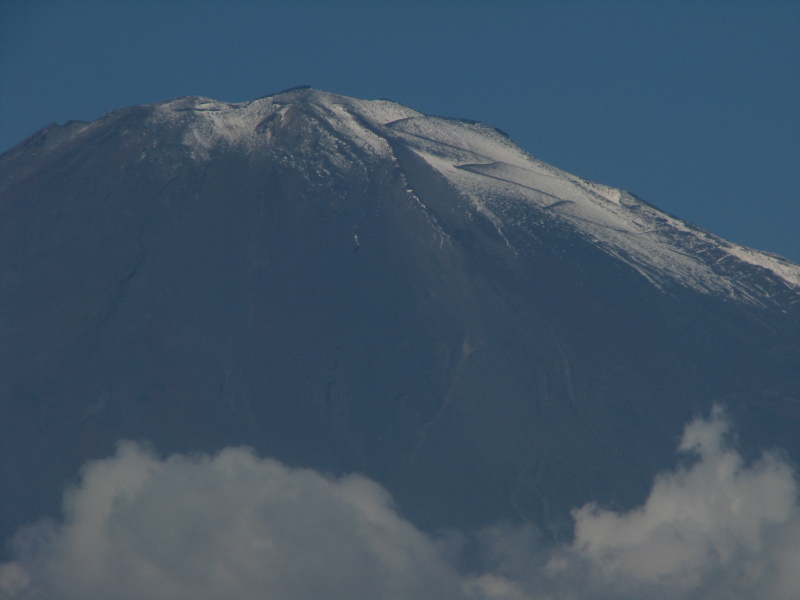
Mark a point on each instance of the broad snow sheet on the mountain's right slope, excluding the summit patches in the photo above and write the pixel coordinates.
(493, 173)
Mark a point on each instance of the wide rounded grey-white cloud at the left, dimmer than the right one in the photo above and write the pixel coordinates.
(224, 527)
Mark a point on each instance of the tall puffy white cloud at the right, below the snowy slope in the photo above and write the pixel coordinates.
(719, 528)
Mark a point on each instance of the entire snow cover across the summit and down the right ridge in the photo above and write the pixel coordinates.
(500, 180)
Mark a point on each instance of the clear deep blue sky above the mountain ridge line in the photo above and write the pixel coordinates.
(692, 105)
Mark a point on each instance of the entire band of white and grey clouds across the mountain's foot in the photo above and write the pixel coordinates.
(235, 526)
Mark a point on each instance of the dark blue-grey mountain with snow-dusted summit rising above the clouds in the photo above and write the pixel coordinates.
(353, 285)
